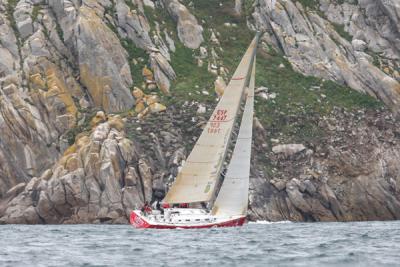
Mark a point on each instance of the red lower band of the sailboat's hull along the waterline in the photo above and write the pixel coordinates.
(139, 222)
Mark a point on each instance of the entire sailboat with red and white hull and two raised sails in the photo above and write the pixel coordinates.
(197, 183)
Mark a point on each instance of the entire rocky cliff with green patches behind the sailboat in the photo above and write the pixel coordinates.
(100, 101)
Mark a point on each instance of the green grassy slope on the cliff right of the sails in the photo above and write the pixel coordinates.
(300, 99)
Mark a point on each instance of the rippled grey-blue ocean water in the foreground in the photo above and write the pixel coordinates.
(255, 244)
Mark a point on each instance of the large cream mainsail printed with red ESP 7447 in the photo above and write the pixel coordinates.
(197, 179)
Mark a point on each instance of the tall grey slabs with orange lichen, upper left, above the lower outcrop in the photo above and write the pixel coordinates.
(57, 60)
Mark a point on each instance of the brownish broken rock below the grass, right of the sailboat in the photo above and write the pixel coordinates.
(344, 179)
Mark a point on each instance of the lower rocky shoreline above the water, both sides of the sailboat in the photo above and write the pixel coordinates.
(349, 175)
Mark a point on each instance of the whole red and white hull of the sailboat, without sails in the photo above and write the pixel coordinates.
(184, 219)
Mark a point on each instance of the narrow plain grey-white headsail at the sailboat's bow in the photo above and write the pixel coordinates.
(233, 197)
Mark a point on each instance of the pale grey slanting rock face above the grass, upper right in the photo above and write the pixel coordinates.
(314, 47)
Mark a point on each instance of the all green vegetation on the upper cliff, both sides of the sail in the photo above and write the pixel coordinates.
(296, 99)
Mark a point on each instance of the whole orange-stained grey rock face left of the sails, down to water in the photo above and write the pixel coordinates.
(57, 60)
